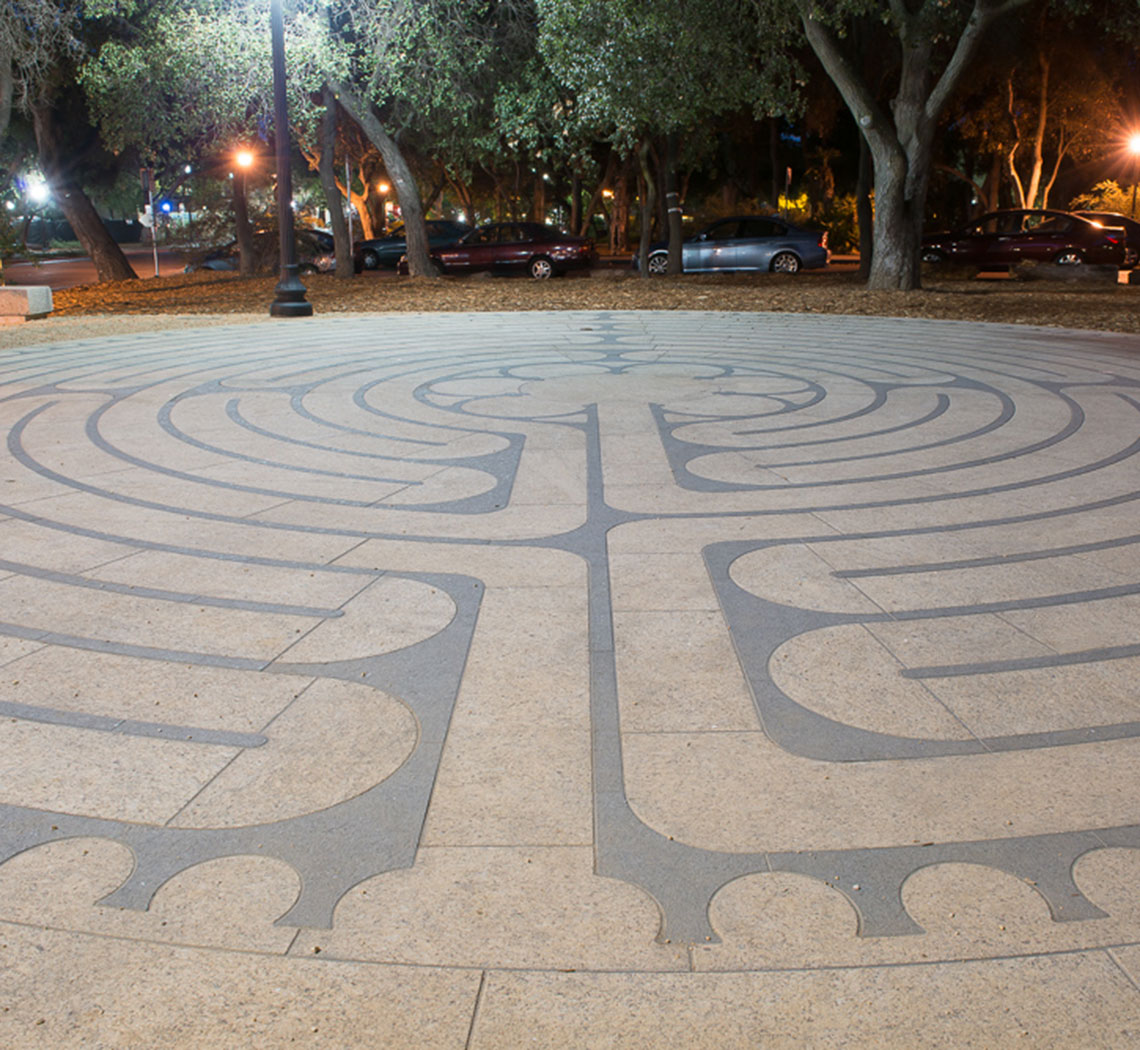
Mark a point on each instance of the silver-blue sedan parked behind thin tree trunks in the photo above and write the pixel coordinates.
(766, 243)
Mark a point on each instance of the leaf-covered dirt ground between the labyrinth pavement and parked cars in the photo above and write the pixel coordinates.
(213, 298)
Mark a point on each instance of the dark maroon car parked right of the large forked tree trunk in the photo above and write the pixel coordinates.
(1005, 238)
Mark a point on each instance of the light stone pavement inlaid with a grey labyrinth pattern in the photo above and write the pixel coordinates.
(571, 681)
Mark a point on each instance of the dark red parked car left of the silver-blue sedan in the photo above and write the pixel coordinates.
(504, 248)
